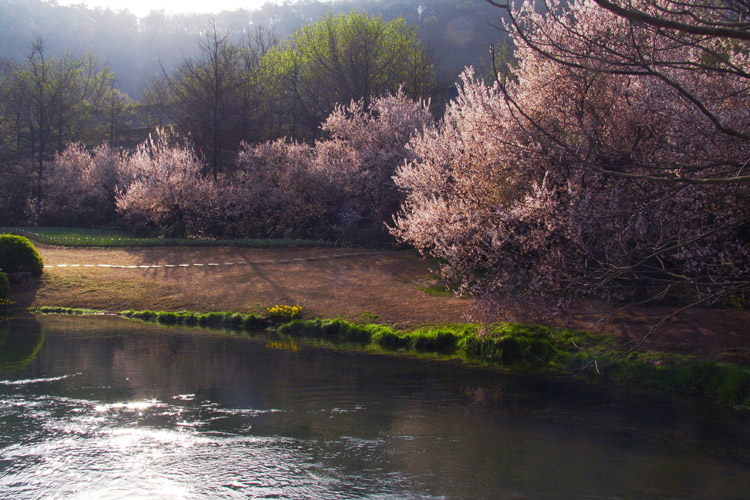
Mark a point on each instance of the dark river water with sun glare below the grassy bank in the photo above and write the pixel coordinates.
(108, 408)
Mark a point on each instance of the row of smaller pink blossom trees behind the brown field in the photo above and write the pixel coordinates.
(338, 188)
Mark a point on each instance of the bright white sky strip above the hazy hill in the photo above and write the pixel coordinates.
(143, 7)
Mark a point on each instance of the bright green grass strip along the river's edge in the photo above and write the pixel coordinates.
(513, 345)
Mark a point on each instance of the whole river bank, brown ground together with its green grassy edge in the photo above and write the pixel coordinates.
(387, 300)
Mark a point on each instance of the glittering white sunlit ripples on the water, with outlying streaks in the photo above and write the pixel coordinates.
(90, 449)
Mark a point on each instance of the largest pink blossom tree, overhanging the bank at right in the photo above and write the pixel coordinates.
(613, 163)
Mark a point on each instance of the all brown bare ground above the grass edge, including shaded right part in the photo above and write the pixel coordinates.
(381, 286)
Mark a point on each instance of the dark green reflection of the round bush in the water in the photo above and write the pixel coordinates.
(20, 342)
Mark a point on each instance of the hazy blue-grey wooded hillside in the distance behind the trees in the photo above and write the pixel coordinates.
(457, 33)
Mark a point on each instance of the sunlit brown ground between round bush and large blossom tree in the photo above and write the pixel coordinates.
(383, 286)
